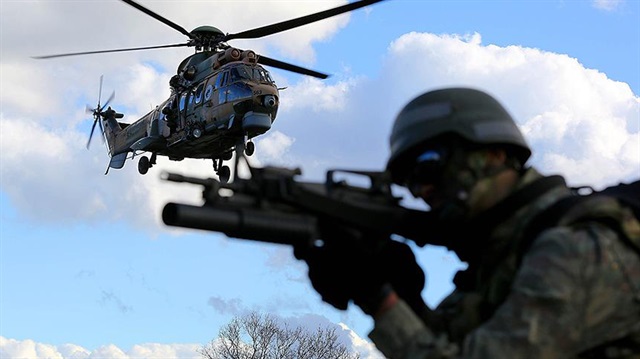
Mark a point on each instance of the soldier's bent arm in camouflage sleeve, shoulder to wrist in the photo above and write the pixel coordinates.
(546, 315)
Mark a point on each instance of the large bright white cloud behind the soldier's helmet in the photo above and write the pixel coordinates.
(579, 122)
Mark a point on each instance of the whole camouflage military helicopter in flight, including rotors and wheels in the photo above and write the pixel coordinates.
(221, 98)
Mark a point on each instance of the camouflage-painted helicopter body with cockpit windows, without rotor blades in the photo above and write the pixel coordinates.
(229, 99)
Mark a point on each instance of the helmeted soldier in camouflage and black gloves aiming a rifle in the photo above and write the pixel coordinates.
(571, 290)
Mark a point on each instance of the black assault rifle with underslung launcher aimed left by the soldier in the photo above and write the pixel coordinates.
(272, 206)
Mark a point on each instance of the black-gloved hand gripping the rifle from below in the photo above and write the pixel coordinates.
(364, 270)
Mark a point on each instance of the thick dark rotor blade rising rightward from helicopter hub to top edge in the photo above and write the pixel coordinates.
(293, 23)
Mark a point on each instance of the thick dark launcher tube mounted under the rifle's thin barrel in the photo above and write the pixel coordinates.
(247, 223)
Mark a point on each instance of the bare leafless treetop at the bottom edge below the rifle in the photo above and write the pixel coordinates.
(257, 336)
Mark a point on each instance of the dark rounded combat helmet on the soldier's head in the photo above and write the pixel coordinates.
(470, 114)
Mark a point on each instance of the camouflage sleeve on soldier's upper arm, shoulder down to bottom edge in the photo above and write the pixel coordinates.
(545, 314)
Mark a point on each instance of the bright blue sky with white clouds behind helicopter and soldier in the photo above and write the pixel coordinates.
(88, 270)
